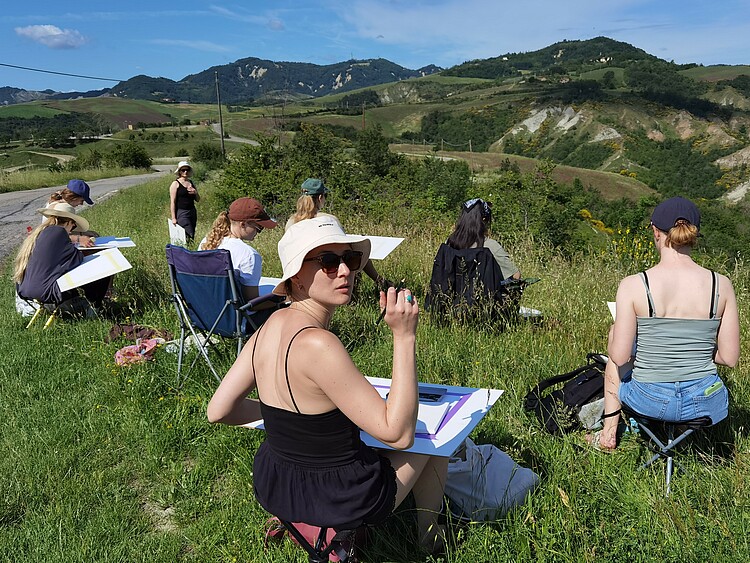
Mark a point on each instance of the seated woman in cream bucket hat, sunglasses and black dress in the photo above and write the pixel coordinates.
(314, 400)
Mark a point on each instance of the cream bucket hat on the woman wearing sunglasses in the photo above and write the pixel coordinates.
(309, 234)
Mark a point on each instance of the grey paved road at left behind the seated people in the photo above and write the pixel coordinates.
(18, 209)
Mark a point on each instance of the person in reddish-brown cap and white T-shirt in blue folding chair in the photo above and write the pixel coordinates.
(232, 230)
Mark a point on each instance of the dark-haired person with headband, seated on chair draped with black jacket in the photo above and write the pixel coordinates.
(472, 230)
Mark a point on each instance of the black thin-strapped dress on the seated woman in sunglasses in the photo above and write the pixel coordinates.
(314, 468)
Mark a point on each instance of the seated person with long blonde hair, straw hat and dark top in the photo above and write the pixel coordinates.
(48, 253)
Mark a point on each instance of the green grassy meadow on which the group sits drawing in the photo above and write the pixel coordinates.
(102, 463)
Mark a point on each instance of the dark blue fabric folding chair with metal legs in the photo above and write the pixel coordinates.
(208, 302)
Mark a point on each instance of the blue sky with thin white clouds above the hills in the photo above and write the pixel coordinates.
(122, 39)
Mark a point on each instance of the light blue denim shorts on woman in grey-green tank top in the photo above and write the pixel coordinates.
(678, 401)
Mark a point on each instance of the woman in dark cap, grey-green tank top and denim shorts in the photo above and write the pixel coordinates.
(674, 322)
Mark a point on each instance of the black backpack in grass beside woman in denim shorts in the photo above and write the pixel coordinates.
(558, 410)
